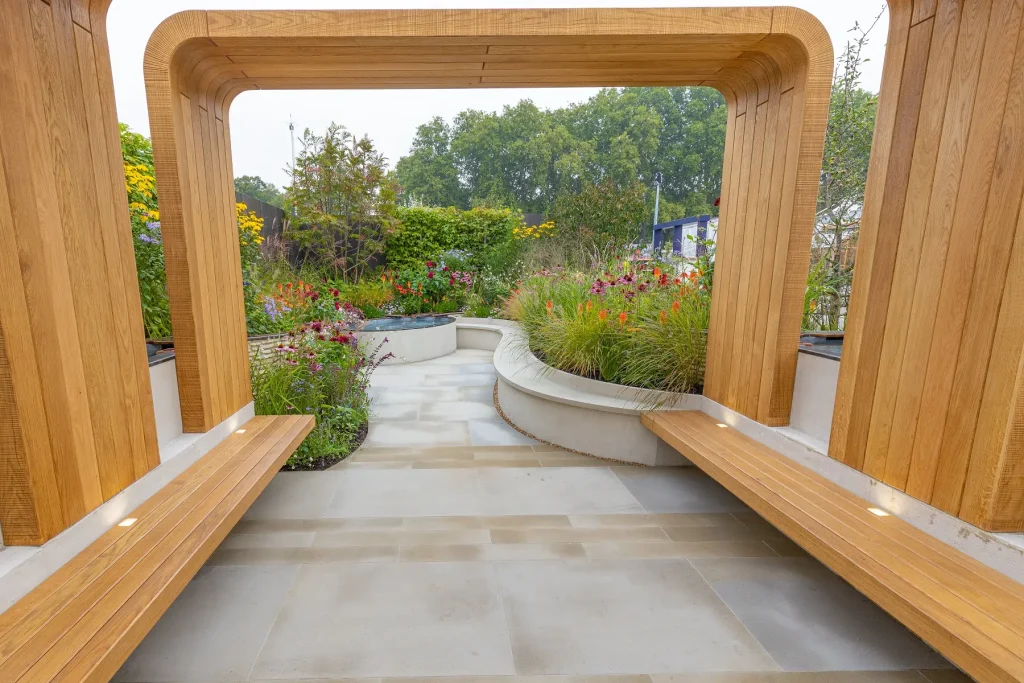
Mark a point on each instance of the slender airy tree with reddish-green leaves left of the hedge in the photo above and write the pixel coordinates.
(344, 200)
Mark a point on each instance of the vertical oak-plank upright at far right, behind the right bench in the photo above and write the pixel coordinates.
(927, 393)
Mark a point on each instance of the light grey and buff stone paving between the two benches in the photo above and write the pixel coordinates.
(453, 549)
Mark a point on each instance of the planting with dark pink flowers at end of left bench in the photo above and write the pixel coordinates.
(323, 372)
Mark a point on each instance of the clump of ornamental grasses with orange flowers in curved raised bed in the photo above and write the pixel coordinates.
(630, 325)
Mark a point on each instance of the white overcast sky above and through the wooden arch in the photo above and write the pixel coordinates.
(260, 119)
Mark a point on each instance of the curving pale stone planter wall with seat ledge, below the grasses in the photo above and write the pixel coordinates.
(576, 413)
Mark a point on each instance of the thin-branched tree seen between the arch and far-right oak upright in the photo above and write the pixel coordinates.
(841, 196)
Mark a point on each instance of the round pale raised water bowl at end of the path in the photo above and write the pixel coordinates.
(410, 339)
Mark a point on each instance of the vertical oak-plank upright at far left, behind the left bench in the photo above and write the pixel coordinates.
(75, 388)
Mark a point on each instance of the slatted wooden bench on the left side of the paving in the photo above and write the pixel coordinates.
(82, 623)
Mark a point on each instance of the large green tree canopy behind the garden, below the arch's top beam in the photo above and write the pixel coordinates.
(526, 158)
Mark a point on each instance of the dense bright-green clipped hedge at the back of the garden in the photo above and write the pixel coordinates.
(426, 234)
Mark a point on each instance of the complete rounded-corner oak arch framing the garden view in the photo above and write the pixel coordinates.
(773, 65)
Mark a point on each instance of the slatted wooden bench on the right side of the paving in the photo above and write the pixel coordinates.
(971, 614)
